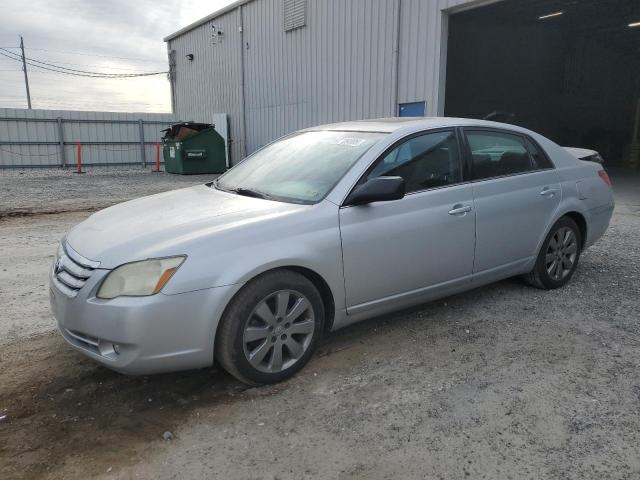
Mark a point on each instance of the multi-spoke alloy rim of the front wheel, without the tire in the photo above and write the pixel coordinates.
(279, 331)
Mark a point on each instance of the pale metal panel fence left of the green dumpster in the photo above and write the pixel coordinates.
(49, 138)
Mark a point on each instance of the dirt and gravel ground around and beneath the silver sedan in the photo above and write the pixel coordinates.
(505, 381)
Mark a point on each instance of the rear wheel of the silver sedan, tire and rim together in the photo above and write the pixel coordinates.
(562, 246)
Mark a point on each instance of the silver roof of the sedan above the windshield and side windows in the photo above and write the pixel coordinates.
(389, 125)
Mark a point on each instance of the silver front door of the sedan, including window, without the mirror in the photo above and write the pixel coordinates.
(426, 240)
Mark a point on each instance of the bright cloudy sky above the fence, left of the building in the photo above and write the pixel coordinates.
(112, 36)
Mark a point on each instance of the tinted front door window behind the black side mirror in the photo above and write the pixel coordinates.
(427, 161)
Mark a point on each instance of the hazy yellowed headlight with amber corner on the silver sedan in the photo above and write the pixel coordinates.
(139, 279)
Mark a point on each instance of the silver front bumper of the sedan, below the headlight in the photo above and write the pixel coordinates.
(142, 335)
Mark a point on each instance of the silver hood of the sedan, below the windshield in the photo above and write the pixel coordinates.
(167, 223)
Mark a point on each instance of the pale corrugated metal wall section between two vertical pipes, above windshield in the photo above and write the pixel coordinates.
(338, 67)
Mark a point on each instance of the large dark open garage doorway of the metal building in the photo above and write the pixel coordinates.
(567, 69)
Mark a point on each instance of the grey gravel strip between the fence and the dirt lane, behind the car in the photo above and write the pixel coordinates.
(29, 191)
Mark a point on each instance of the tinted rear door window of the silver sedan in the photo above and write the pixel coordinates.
(495, 154)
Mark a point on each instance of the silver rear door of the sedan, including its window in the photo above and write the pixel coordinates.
(516, 191)
